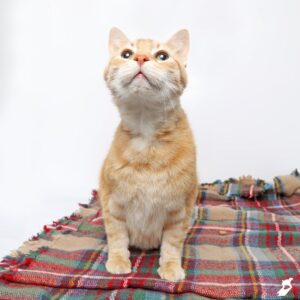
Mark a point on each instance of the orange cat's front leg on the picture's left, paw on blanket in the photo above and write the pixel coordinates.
(118, 241)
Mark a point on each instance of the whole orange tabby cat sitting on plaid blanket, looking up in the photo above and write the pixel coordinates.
(148, 182)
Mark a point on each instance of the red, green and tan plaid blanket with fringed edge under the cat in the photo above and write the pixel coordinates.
(235, 248)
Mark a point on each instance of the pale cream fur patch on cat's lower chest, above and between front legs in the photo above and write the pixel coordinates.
(144, 205)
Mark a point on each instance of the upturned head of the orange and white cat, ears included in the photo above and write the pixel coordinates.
(145, 69)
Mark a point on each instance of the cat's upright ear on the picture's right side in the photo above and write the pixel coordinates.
(179, 44)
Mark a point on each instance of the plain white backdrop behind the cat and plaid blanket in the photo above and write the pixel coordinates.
(57, 119)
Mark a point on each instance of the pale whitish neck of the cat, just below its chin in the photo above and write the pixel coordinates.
(145, 118)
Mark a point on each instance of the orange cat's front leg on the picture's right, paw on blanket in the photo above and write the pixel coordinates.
(171, 251)
